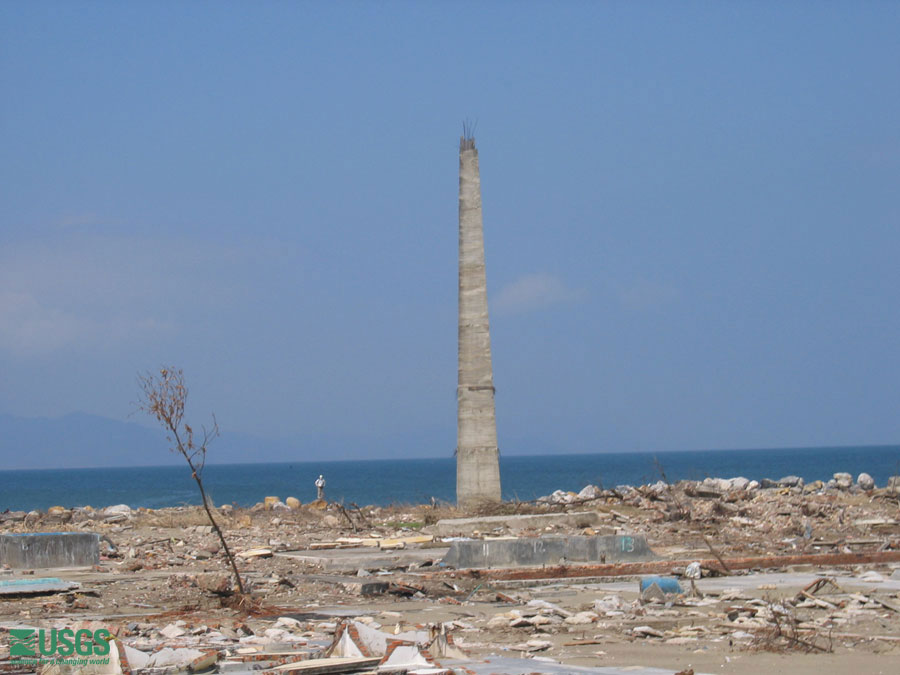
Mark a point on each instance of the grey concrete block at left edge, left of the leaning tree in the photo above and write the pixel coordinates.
(50, 549)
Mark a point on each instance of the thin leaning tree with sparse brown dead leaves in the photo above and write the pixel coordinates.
(163, 397)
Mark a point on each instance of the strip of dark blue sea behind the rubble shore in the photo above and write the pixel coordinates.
(415, 481)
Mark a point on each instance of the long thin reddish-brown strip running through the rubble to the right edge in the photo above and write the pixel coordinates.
(666, 566)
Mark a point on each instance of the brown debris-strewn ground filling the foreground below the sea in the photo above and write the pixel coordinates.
(366, 589)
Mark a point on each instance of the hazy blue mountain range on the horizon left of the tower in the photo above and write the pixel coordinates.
(82, 440)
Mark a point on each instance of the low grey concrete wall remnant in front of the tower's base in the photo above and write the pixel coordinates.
(533, 551)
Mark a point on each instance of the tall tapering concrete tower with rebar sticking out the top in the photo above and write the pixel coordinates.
(477, 455)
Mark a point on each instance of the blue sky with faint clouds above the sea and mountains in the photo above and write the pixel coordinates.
(692, 217)
